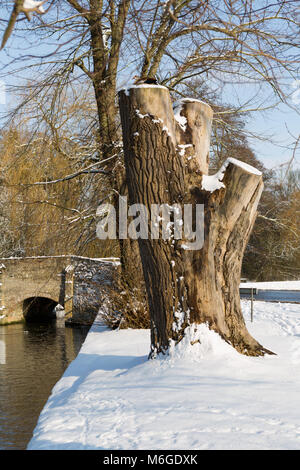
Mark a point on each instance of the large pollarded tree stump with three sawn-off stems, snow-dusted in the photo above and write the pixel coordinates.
(166, 158)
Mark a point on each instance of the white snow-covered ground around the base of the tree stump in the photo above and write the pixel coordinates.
(205, 396)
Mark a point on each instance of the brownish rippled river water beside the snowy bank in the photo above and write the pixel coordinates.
(33, 357)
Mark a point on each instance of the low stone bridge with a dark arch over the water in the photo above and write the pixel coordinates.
(35, 288)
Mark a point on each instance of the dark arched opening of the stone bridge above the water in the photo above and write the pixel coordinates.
(39, 309)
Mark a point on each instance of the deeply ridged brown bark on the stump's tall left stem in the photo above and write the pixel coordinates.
(153, 158)
